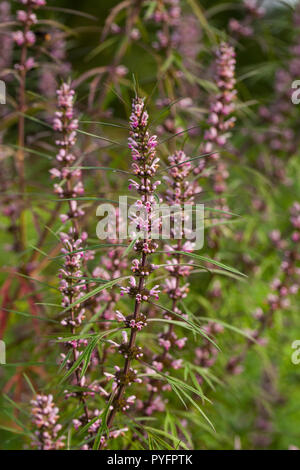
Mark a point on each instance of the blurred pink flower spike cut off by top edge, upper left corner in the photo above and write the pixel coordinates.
(25, 37)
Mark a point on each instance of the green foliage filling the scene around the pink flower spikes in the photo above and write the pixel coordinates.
(207, 407)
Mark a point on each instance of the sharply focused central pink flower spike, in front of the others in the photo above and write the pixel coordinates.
(145, 164)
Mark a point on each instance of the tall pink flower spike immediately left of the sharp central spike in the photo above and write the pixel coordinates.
(70, 186)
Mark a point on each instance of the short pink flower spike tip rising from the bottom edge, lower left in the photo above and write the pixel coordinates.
(45, 416)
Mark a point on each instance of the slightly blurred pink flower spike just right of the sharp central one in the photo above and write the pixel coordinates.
(181, 191)
